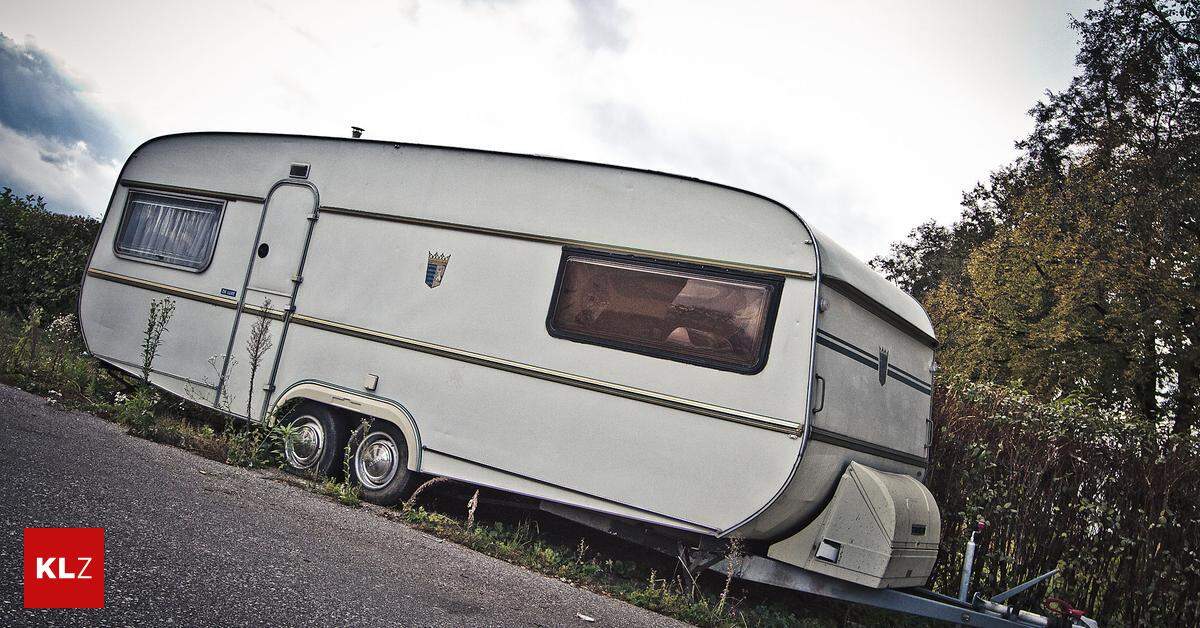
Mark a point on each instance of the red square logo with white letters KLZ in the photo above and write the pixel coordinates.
(64, 567)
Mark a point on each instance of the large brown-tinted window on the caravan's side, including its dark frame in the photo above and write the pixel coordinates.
(707, 319)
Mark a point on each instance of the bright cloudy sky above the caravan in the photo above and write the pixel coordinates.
(867, 118)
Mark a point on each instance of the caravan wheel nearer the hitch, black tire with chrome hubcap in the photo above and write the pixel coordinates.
(380, 463)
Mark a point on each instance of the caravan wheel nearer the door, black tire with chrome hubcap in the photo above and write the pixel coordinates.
(319, 444)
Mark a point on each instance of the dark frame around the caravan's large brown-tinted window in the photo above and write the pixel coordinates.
(715, 273)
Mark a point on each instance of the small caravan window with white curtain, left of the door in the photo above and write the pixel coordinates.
(171, 230)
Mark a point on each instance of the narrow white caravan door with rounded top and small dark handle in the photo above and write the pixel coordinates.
(274, 276)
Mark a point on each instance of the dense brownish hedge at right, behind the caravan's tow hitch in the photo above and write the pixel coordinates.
(1111, 500)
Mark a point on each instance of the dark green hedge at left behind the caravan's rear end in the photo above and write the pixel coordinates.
(41, 255)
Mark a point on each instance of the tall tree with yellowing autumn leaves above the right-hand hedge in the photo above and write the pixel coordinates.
(1076, 268)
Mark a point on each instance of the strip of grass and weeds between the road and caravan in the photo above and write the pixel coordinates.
(50, 362)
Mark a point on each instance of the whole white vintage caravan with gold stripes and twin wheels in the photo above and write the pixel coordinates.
(626, 346)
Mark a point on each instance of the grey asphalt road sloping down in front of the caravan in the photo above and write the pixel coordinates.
(190, 542)
